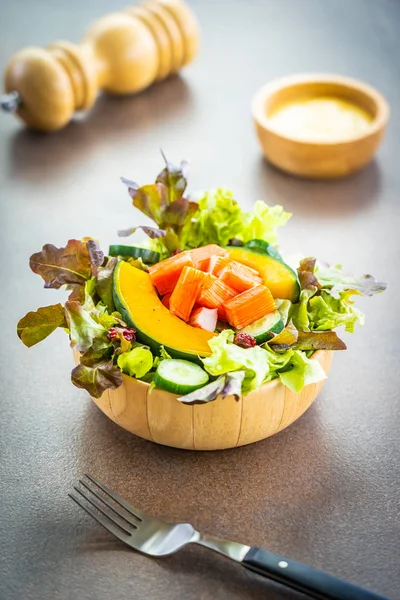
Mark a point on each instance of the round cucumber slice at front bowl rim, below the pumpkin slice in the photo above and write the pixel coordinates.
(179, 376)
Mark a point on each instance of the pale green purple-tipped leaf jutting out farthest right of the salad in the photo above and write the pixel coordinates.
(337, 281)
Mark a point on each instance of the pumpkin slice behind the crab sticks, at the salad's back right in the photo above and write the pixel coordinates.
(280, 279)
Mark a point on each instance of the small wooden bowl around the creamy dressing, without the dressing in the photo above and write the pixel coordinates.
(320, 159)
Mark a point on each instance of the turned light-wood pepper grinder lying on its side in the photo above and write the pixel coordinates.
(122, 53)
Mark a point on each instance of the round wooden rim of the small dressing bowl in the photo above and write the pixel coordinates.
(268, 90)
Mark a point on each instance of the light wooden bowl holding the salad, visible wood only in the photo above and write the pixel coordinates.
(225, 423)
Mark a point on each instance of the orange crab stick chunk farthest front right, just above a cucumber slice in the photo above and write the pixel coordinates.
(249, 306)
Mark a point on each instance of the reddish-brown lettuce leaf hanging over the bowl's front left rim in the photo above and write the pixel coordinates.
(97, 379)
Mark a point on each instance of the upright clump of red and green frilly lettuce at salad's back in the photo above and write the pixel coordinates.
(215, 218)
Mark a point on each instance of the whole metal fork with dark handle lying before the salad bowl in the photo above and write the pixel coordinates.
(157, 538)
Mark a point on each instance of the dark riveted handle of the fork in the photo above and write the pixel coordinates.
(302, 578)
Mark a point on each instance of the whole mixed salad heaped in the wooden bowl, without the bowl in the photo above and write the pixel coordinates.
(205, 306)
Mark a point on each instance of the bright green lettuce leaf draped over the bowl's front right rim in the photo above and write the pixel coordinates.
(301, 371)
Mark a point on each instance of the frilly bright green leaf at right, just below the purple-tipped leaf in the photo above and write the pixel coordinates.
(327, 312)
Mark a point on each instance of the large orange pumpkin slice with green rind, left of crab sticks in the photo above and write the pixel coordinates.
(136, 299)
